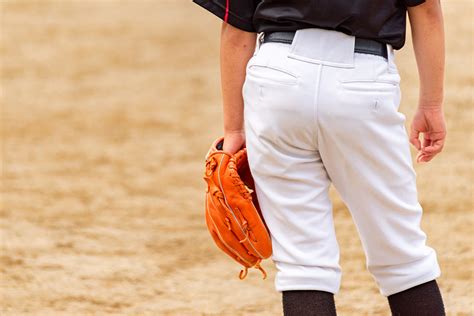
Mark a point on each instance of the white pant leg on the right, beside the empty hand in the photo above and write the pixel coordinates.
(365, 149)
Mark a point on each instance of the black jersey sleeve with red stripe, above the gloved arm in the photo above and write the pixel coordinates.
(238, 13)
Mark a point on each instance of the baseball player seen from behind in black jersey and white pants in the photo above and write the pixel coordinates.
(311, 88)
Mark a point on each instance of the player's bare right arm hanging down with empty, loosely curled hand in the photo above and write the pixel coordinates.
(426, 22)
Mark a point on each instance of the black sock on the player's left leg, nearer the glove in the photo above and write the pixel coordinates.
(308, 303)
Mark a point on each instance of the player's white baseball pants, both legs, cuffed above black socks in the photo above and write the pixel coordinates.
(317, 113)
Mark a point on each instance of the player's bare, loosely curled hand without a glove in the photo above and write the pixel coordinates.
(428, 121)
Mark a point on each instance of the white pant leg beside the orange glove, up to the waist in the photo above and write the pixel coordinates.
(291, 181)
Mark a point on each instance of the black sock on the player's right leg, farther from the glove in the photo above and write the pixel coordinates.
(423, 299)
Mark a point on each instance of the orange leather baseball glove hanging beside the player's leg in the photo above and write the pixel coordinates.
(233, 215)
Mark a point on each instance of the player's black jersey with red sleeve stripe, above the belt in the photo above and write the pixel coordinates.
(380, 20)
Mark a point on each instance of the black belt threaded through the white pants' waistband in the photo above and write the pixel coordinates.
(362, 45)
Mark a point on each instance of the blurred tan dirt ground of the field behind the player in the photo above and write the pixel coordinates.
(108, 108)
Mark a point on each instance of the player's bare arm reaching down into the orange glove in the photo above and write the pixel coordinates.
(236, 49)
